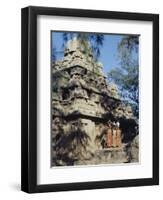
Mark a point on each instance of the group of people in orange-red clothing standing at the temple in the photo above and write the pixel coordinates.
(113, 137)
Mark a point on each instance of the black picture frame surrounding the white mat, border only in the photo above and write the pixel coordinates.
(29, 99)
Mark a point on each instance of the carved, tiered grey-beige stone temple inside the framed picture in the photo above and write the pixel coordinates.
(90, 124)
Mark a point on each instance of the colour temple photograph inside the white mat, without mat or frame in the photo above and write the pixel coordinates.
(94, 98)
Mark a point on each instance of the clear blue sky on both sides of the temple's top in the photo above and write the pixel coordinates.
(108, 52)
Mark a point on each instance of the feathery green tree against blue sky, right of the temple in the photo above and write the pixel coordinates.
(127, 75)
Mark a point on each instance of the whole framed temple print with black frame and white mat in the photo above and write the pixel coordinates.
(90, 99)
